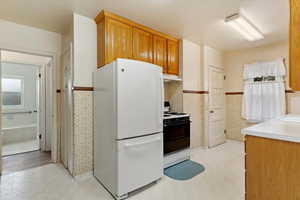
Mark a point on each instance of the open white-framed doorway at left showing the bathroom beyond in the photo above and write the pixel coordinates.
(26, 129)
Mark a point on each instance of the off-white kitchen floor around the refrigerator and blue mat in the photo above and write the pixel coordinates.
(222, 179)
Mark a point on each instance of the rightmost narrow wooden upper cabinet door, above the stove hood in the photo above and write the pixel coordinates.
(172, 57)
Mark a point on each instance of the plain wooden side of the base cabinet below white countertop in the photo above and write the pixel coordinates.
(272, 169)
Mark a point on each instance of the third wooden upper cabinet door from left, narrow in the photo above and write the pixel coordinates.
(160, 52)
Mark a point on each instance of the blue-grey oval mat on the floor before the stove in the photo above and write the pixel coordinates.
(184, 170)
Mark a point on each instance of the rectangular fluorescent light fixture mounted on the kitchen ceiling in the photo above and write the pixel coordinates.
(244, 27)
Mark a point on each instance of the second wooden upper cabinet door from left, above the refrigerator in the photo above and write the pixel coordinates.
(142, 45)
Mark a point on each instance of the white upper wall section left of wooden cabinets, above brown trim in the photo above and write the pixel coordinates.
(85, 50)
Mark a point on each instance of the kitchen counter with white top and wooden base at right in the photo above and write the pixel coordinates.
(272, 165)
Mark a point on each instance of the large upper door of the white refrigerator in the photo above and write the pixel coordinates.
(140, 99)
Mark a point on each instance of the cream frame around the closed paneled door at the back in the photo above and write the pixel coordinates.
(210, 68)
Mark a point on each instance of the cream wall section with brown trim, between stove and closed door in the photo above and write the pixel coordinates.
(192, 69)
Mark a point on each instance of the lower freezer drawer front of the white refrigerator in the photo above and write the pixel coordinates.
(140, 162)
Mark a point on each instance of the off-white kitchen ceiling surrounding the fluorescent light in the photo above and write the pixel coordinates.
(201, 21)
